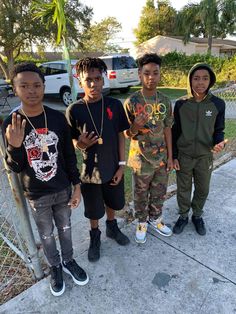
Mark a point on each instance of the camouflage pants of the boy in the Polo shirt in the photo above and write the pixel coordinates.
(149, 192)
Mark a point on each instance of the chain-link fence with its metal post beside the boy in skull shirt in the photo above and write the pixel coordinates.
(18, 257)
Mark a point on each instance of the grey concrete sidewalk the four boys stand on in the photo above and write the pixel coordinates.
(181, 274)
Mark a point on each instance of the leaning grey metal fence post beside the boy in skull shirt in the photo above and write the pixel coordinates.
(22, 210)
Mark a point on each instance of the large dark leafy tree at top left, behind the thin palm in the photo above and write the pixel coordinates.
(19, 30)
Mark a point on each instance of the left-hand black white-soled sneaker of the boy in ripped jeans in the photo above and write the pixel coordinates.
(57, 285)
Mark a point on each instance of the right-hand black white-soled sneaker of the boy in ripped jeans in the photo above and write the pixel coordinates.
(78, 275)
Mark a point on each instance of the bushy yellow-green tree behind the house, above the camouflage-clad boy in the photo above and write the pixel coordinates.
(155, 20)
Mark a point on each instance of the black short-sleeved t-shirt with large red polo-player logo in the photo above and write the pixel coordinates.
(100, 161)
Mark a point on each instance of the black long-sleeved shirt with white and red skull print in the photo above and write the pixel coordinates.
(46, 160)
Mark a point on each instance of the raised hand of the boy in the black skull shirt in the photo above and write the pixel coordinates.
(15, 131)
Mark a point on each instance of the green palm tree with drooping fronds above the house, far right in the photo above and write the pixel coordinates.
(209, 18)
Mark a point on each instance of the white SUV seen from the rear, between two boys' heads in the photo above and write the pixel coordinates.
(122, 72)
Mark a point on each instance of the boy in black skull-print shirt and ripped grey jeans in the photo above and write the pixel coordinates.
(39, 148)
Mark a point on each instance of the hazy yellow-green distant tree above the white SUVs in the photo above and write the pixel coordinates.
(98, 36)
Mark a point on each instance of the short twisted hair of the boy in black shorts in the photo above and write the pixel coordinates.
(86, 64)
